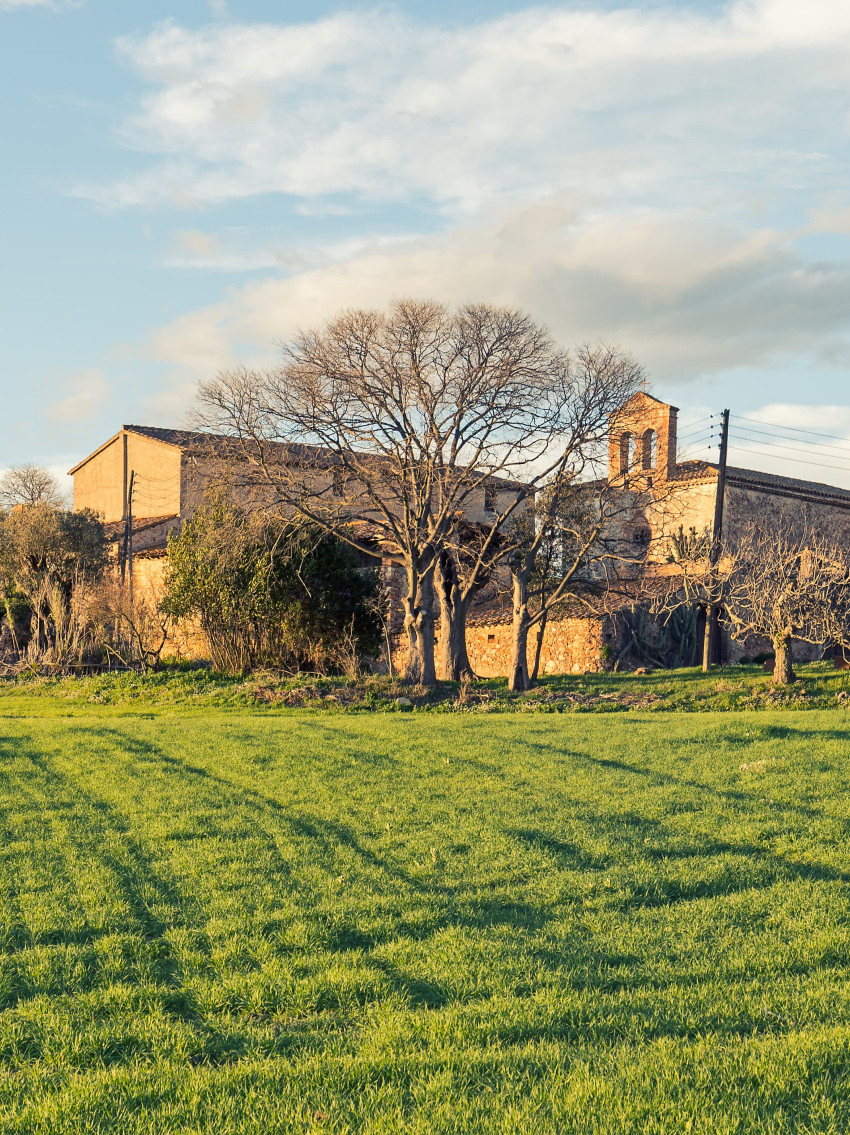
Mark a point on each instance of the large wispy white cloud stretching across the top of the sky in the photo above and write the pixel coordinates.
(629, 103)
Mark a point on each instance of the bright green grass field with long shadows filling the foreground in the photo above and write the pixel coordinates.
(271, 921)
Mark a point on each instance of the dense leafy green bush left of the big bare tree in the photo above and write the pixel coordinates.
(268, 592)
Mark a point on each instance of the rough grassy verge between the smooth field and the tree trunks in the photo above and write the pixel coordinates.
(186, 687)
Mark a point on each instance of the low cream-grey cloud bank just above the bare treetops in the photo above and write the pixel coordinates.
(688, 295)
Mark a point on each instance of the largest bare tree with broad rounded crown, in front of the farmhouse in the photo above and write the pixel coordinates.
(393, 427)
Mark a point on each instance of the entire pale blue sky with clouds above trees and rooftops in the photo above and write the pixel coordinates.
(189, 181)
